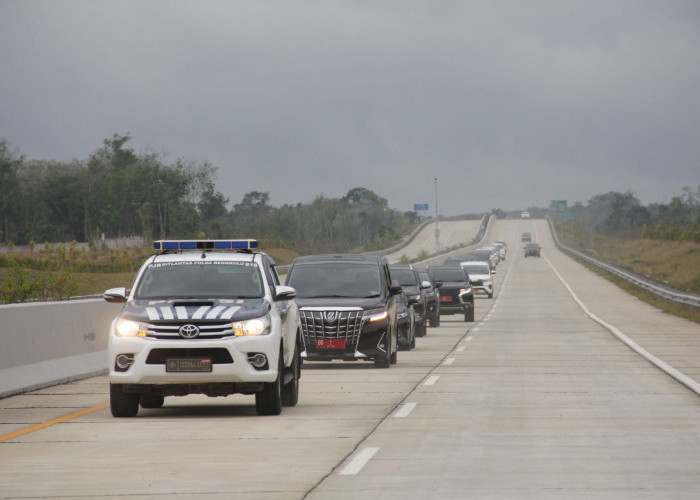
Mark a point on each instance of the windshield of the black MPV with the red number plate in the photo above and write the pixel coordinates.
(336, 279)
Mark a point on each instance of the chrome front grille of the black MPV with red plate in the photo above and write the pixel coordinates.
(331, 324)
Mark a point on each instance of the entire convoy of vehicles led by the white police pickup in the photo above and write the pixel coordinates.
(211, 317)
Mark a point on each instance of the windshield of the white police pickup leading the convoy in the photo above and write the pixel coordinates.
(219, 279)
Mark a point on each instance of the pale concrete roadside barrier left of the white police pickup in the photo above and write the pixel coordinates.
(48, 343)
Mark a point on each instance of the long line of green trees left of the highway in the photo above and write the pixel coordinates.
(117, 192)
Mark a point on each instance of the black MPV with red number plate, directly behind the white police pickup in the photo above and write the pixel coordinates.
(347, 305)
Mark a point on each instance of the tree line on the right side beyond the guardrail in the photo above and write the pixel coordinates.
(623, 215)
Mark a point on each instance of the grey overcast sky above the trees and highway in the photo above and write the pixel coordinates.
(508, 103)
